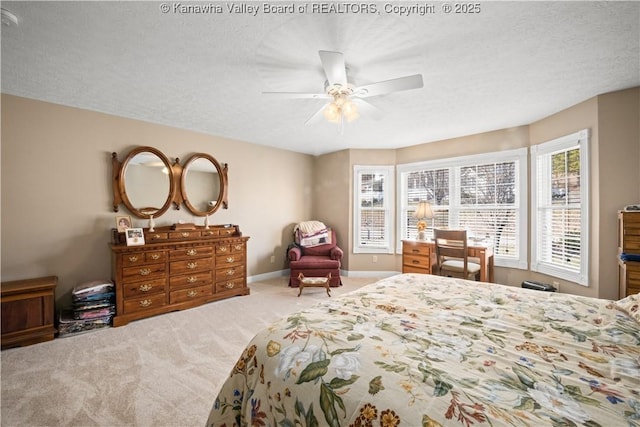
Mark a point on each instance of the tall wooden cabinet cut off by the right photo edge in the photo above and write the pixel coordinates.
(628, 244)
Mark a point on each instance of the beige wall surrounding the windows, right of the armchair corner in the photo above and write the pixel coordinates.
(614, 122)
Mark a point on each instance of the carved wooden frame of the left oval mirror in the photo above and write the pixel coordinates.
(119, 185)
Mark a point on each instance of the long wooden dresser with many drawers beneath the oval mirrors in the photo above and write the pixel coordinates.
(177, 269)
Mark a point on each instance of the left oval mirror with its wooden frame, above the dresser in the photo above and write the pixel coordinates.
(146, 182)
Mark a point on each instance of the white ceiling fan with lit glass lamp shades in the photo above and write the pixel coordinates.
(345, 100)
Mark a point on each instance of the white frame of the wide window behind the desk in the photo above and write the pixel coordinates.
(454, 164)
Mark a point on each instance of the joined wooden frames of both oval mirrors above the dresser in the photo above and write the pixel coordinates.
(177, 184)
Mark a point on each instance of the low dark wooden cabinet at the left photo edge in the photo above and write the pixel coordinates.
(28, 308)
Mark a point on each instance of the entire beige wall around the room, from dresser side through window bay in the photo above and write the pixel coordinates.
(56, 192)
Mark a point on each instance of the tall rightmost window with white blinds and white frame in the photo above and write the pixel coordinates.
(560, 208)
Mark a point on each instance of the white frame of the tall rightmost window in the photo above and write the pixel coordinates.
(564, 143)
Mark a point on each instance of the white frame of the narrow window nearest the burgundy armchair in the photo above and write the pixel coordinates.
(388, 172)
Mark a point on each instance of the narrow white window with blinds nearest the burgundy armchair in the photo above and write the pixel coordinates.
(372, 209)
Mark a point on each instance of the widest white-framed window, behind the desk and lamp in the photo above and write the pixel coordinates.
(484, 194)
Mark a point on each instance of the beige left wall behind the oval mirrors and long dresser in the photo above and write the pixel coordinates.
(57, 198)
